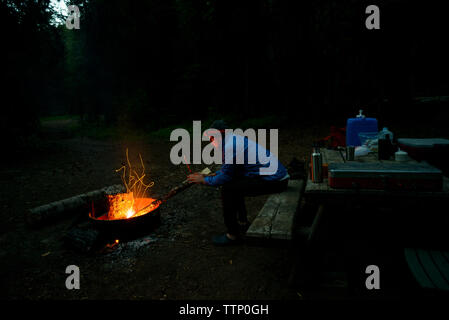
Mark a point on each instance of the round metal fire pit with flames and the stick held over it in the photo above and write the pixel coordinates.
(123, 215)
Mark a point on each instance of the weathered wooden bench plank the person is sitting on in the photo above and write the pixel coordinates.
(275, 219)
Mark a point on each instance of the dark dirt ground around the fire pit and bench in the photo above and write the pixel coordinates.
(176, 261)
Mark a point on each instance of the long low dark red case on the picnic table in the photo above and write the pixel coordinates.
(385, 176)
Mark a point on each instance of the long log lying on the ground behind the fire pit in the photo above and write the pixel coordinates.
(70, 206)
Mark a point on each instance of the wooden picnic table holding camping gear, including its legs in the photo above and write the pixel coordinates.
(325, 197)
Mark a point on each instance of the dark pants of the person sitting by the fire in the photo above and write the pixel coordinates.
(233, 196)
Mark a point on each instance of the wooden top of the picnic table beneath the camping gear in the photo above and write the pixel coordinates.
(332, 156)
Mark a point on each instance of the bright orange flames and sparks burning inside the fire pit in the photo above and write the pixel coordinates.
(135, 201)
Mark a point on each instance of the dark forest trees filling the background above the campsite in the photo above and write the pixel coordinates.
(152, 64)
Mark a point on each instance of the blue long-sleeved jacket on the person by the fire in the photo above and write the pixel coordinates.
(233, 170)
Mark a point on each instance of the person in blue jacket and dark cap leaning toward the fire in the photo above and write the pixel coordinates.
(240, 178)
